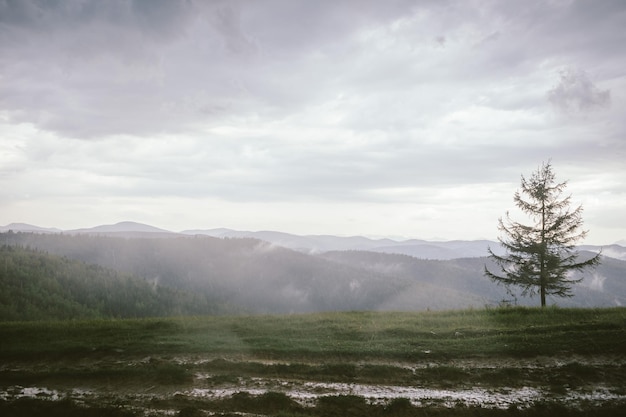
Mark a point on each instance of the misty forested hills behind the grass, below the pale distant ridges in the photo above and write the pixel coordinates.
(194, 275)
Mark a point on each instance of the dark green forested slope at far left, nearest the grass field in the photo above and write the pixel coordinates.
(35, 285)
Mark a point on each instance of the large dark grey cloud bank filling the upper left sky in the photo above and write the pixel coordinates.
(93, 68)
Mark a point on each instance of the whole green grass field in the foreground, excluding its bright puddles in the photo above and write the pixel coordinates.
(583, 350)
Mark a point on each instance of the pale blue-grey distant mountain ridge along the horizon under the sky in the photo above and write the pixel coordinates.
(312, 244)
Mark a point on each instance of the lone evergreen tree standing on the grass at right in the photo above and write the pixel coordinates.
(540, 256)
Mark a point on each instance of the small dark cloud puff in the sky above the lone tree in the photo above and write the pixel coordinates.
(575, 92)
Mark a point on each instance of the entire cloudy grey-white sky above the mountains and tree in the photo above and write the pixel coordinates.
(356, 117)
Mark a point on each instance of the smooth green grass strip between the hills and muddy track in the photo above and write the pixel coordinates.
(512, 332)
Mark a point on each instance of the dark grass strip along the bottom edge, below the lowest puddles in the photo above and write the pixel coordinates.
(277, 404)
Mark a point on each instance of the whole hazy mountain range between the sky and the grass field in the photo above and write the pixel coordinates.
(256, 272)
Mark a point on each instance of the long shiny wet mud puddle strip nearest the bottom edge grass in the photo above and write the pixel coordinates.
(307, 393)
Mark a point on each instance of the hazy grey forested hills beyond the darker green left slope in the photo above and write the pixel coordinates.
(245, 275)
